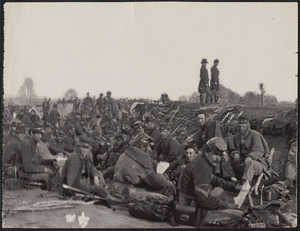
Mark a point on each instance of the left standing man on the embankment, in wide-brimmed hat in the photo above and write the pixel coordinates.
(203, 87)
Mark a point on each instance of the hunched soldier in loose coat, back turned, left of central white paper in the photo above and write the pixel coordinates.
(135, 167)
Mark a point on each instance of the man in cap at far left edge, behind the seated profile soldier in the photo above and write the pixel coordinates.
(12, 148)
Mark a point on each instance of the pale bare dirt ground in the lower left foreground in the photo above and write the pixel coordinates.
(100, 216)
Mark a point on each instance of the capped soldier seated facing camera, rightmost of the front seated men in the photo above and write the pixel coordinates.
(247, 151)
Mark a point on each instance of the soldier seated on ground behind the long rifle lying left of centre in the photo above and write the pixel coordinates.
(79, 171)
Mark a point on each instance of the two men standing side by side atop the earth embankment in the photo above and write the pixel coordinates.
(209, 93)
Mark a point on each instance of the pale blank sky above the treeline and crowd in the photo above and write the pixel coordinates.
(145, 49)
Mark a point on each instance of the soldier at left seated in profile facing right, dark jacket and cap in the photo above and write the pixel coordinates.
(32, 166)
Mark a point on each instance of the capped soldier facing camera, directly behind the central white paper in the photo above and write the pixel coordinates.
(169, 148)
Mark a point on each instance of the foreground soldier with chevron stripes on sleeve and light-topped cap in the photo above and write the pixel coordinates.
(197, 181)
